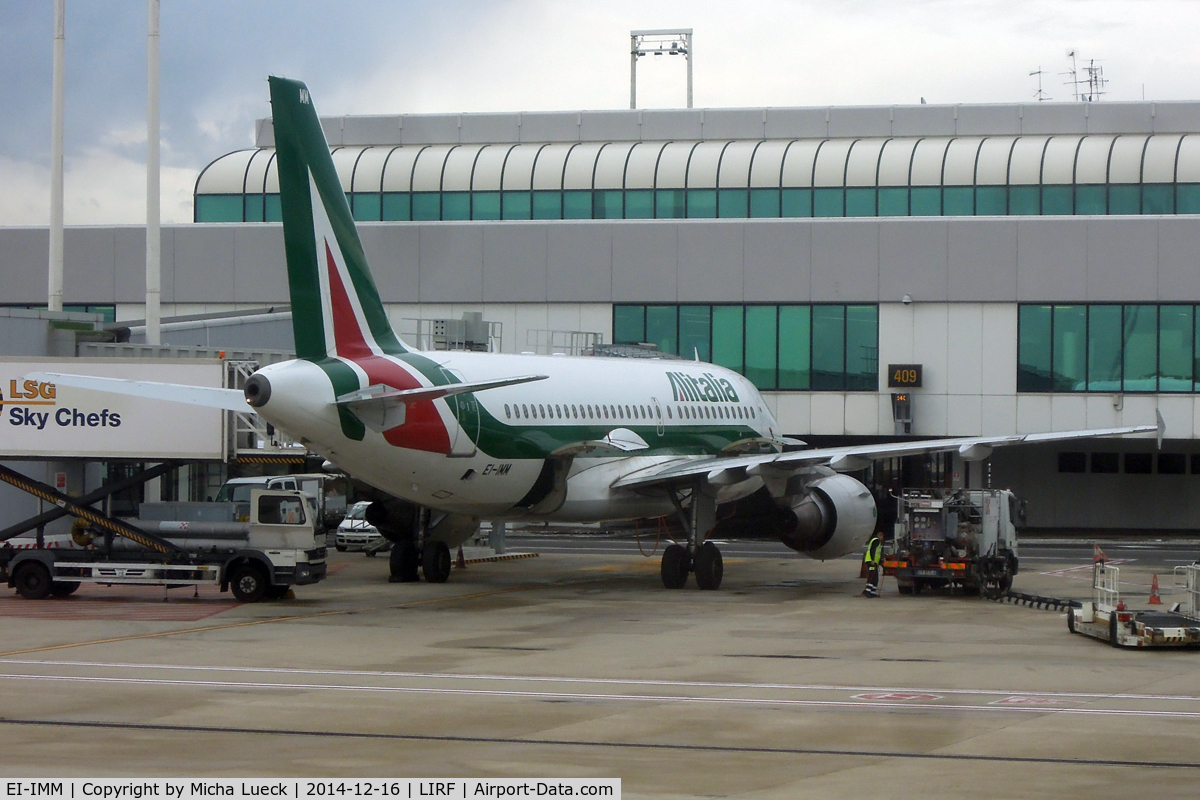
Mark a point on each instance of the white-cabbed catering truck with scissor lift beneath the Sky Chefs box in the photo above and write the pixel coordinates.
(259, 558)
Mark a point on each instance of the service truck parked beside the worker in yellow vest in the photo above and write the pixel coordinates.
(956, 539)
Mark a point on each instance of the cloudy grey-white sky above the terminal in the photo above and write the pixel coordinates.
(392, 57)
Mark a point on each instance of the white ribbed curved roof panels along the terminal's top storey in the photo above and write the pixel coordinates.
(772, 164)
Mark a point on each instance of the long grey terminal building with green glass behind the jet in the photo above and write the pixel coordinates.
(878, 272)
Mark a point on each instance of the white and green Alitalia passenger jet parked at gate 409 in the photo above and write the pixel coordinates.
(460, 437)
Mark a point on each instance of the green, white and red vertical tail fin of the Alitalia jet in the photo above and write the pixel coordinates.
(337, 310)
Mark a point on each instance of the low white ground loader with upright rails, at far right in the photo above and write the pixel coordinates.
(1108, 619)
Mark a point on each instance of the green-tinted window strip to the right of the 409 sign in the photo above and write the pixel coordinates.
(1107, 348)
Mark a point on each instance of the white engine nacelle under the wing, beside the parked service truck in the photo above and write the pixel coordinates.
(835, 518)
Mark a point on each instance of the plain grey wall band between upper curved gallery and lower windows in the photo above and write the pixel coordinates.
(977, 260)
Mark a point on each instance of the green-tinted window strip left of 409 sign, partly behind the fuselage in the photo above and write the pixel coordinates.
(795, 347)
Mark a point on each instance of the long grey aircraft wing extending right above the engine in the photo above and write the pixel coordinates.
(725, 471)
